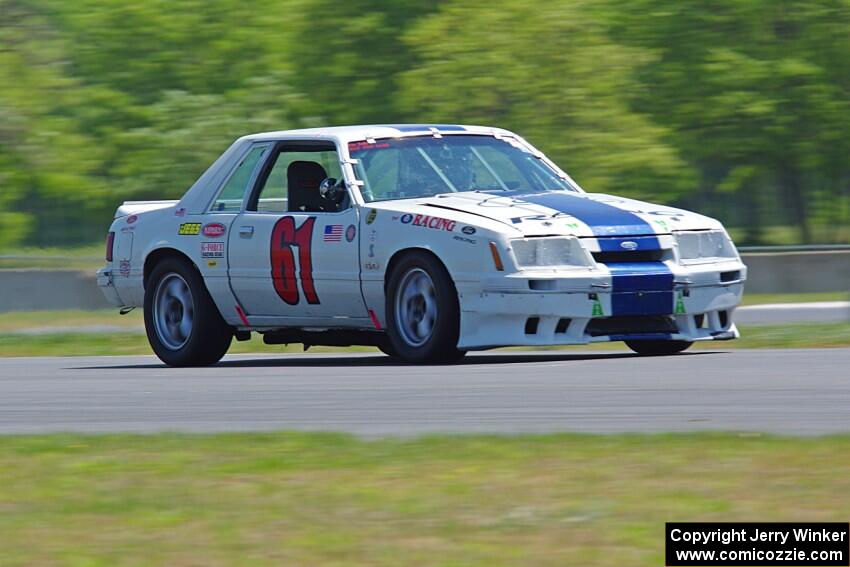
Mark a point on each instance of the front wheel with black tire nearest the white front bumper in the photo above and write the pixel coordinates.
(423, 312)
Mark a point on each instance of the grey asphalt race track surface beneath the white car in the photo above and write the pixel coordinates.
(781, 391)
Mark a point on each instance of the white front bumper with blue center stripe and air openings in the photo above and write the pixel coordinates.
(527, 309)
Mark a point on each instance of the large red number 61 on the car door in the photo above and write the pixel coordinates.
(285, 237)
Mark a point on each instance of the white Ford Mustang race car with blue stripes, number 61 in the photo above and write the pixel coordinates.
(426, 241)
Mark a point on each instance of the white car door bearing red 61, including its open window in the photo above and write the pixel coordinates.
(293, 258)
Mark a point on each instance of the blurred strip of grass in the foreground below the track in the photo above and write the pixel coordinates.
(331, 500)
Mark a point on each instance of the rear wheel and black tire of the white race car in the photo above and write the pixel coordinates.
(183, 325)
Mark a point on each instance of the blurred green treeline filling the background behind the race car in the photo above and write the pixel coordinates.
(739, 109)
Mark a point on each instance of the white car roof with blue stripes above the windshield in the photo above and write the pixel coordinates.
(346, 134)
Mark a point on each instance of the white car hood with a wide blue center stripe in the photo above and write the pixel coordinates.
(561, 213)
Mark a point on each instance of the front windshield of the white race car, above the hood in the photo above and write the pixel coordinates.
(408, 168)
